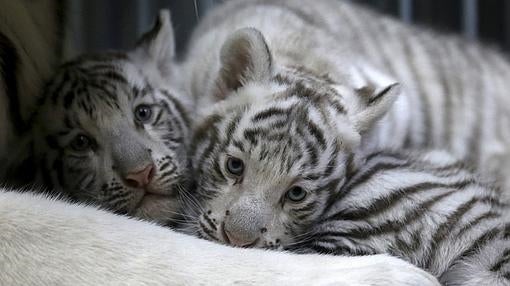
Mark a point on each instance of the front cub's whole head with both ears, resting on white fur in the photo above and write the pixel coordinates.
(277, 144)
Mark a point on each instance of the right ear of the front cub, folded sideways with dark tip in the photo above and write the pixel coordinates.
(376, 93)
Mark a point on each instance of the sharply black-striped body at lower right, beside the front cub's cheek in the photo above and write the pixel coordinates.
(426, 208)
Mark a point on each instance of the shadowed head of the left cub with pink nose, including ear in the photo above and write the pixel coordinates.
(113, 128)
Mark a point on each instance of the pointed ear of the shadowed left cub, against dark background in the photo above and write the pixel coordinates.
(158, 44)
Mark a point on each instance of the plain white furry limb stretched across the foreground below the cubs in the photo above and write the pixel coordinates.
(48, 242)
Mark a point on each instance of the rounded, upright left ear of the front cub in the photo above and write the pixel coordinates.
(244, 57)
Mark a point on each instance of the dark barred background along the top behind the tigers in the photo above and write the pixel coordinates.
(96, 25)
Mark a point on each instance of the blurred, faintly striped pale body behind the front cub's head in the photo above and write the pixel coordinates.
(454, 93)
